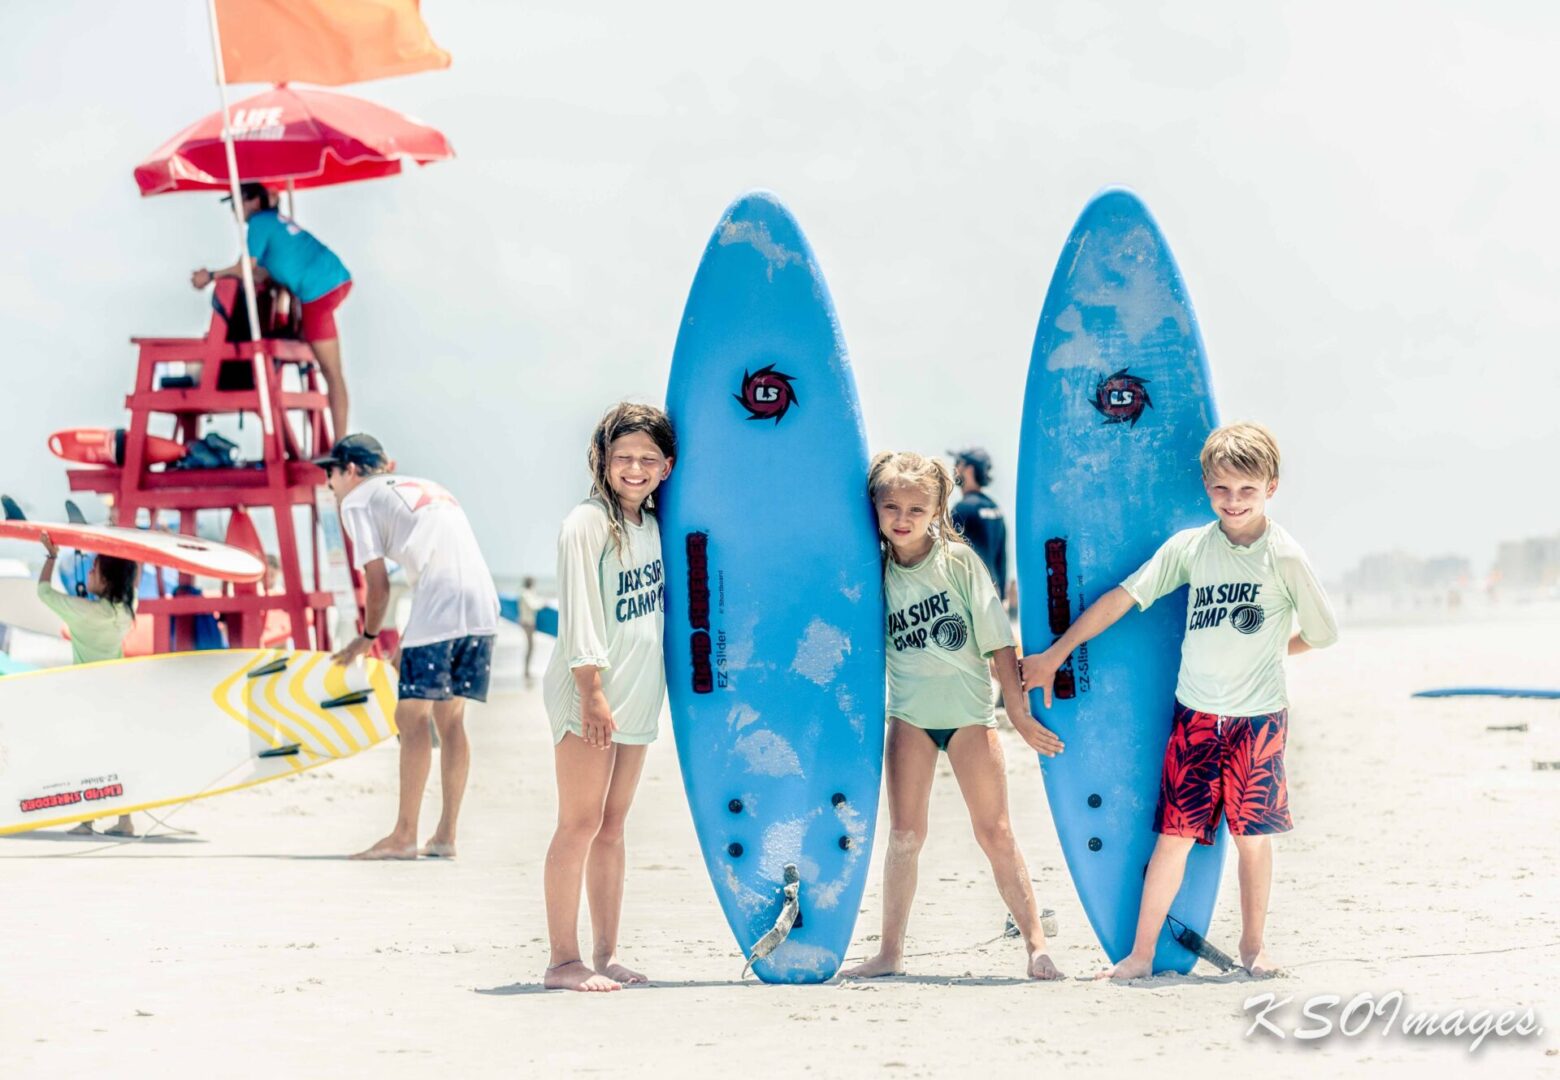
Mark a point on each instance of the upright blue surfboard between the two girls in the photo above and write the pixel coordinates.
(775, 599)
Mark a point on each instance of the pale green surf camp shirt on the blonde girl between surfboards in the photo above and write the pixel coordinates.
(945, 622)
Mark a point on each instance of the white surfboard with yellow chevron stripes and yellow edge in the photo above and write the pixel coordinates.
(108, 739)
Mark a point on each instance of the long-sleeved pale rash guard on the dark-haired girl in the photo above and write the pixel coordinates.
(611, 619)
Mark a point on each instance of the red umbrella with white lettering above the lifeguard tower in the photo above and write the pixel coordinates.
(305, 138)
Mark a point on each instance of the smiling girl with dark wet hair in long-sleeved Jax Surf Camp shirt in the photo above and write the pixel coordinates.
(604, 686)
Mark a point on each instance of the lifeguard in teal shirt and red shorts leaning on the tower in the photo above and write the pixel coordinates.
(299, 263)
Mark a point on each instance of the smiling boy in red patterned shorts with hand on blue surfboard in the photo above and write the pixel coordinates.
(1250, 584)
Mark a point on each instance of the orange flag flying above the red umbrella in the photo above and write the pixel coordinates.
(327, 43)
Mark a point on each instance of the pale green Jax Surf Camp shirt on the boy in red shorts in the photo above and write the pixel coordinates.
(1239, 614)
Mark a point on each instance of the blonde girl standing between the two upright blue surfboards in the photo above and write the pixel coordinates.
(948, 634)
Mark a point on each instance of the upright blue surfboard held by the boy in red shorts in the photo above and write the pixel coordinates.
(1118, 407)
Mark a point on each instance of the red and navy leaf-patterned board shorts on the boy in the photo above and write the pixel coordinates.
(1224, 766)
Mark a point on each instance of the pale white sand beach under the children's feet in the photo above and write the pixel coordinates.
(1423, 861)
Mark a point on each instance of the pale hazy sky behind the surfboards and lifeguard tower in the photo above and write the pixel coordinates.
(1363, 201)
